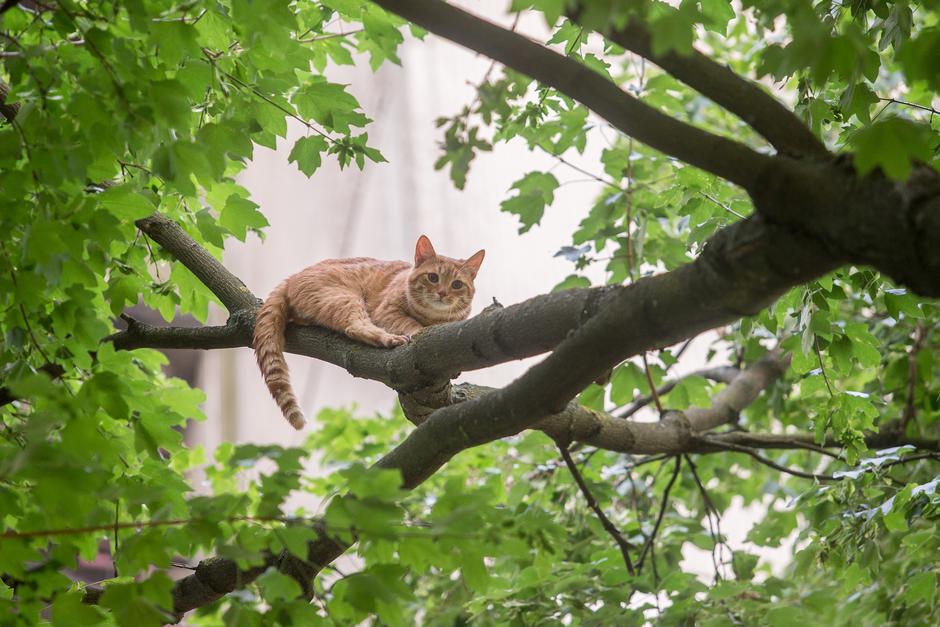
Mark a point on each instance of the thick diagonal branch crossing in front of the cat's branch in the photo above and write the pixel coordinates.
(718, 288)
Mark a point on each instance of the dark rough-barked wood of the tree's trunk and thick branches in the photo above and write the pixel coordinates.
(813, 214)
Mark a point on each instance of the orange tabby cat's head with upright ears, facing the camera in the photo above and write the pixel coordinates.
(440, 289)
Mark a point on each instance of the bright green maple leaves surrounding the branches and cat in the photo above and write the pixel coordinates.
(165, 102)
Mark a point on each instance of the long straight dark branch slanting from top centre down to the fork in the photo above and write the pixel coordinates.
(728, 159)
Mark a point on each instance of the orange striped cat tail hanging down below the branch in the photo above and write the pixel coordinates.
(269, 351)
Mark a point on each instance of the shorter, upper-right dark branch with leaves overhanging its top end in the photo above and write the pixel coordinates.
(762, 112)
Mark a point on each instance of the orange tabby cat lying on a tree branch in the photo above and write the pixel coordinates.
(381, 303)
